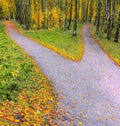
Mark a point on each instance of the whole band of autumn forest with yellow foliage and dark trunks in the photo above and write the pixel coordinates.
(43, 14)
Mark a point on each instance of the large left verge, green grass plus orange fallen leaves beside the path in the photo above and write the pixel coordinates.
(26, 95)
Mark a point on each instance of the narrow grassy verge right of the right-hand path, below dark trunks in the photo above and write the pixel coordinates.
(110, 47)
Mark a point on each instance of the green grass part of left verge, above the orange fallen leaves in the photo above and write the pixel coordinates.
(15, 69)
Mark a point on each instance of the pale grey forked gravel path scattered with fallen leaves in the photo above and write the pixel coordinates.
(89, 90)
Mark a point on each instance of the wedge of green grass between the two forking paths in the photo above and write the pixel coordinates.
(58, 40)
